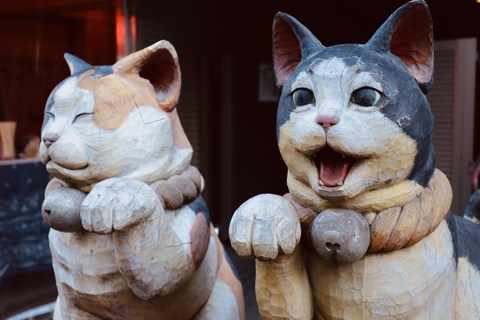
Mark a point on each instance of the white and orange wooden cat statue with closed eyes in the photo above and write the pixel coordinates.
(131, 236)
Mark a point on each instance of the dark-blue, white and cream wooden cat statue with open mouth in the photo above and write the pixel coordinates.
(355, 131)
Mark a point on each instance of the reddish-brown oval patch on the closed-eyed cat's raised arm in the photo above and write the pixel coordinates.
(200, 236)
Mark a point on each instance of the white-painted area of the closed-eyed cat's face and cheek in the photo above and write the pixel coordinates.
(143, 154)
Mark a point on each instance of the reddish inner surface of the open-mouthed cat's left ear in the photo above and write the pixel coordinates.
(287, 53)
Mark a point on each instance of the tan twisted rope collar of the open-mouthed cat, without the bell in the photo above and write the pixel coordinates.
(403, 225)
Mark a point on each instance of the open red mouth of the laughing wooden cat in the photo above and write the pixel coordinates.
(332, 167)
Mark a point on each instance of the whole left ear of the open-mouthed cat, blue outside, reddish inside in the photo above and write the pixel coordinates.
(292, 42)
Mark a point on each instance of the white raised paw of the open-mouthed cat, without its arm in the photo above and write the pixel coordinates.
(265, 227)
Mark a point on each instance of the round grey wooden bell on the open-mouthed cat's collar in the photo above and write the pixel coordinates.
(340, 235)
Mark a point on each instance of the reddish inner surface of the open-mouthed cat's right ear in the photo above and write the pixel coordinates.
(412, 41)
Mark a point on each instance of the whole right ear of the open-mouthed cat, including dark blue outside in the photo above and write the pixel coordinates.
(408, 34)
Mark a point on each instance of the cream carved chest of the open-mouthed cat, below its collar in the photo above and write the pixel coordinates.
(412, 283)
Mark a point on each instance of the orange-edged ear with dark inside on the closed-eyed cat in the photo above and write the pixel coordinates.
(157, 63)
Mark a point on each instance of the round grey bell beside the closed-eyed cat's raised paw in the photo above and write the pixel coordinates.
(61, 209)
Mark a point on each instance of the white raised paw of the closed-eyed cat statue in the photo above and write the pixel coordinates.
(117, 204)
